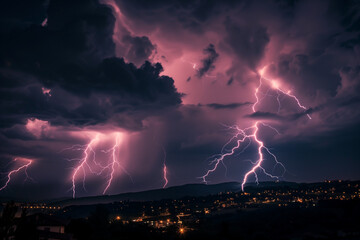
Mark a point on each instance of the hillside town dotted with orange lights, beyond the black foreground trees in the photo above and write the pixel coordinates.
(189, 215)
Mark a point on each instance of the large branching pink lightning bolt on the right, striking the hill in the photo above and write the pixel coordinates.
(242, 138)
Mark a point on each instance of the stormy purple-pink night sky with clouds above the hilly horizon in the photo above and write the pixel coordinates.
(147, 83)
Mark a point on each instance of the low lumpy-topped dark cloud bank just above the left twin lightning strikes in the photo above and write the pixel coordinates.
(97, 96)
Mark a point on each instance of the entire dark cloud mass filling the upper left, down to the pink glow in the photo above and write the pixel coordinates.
(72, 56)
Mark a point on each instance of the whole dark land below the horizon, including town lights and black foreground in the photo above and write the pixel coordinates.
(327, 210)
